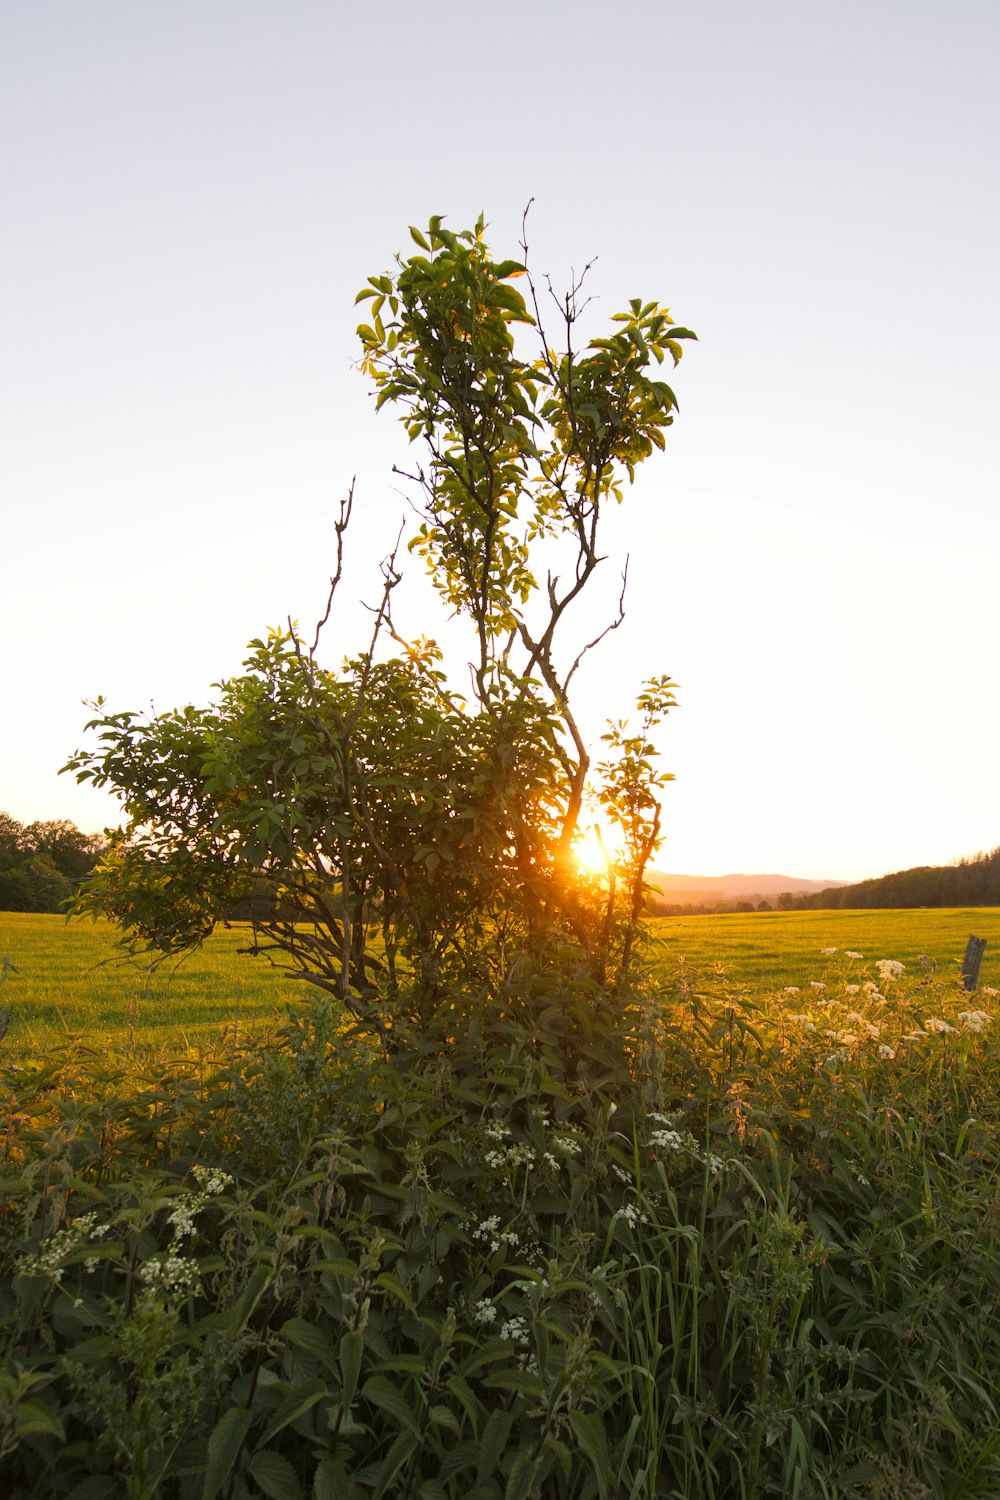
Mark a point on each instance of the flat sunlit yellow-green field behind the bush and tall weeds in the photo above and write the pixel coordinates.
(70, 980)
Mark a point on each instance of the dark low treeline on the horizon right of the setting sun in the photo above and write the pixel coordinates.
(971, 883)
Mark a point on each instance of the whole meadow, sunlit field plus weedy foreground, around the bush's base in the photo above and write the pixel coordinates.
(750, 1252)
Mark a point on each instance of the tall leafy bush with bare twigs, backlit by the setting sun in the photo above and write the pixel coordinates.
(406, 847)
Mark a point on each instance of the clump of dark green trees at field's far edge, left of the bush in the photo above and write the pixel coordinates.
(41, 865)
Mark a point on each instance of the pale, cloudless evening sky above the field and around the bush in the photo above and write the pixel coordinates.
(194, 193)
